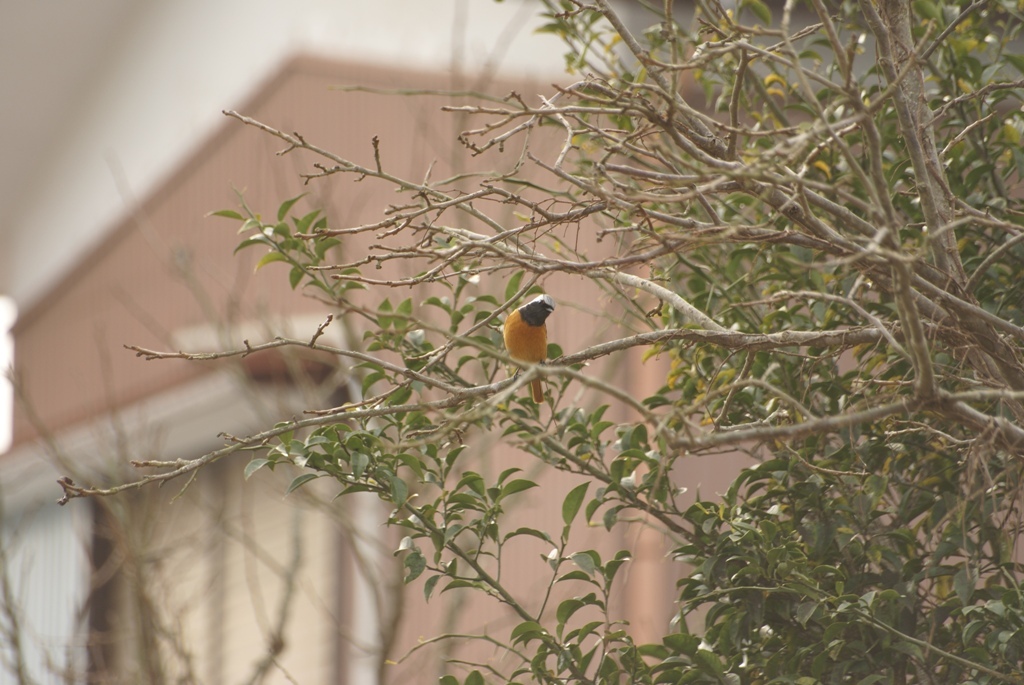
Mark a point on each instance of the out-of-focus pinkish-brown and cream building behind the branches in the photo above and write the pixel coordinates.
(119, 154)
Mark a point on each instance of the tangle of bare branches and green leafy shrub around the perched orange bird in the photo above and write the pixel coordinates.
(813, 210)
